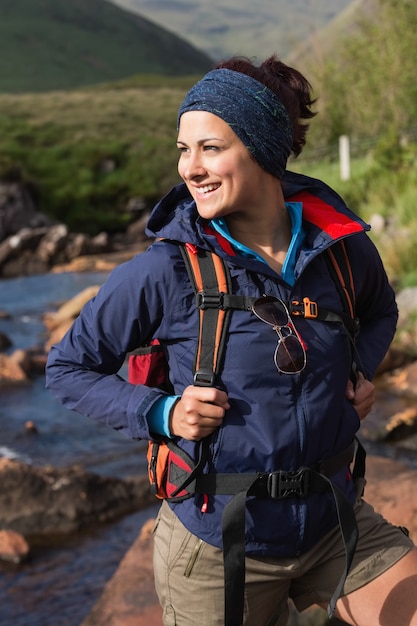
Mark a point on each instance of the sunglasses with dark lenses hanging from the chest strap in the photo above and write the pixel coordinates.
(290, 356)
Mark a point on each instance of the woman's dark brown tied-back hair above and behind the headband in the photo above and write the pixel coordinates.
(291, 87)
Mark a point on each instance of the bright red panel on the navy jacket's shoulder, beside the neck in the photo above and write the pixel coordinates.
(325, 216)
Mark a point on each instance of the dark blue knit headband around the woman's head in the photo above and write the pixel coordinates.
(253, 111)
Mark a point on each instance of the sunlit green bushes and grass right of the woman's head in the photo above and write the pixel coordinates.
(367, 90)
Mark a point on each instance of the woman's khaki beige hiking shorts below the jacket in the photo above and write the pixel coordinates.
(189, 576)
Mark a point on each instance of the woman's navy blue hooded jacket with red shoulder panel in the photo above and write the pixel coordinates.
(275, 421)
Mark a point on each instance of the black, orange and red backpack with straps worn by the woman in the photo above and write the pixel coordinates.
(175, 476)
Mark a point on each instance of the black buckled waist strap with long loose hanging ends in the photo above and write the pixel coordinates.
(277, 485)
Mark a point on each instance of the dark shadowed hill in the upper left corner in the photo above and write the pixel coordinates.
(61, 44)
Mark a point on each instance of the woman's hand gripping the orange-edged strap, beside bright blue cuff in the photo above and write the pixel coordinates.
(198, 413)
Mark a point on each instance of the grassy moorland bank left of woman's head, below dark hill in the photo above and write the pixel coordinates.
(87, 153)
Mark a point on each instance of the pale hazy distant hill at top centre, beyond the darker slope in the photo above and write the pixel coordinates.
(226, 27)
